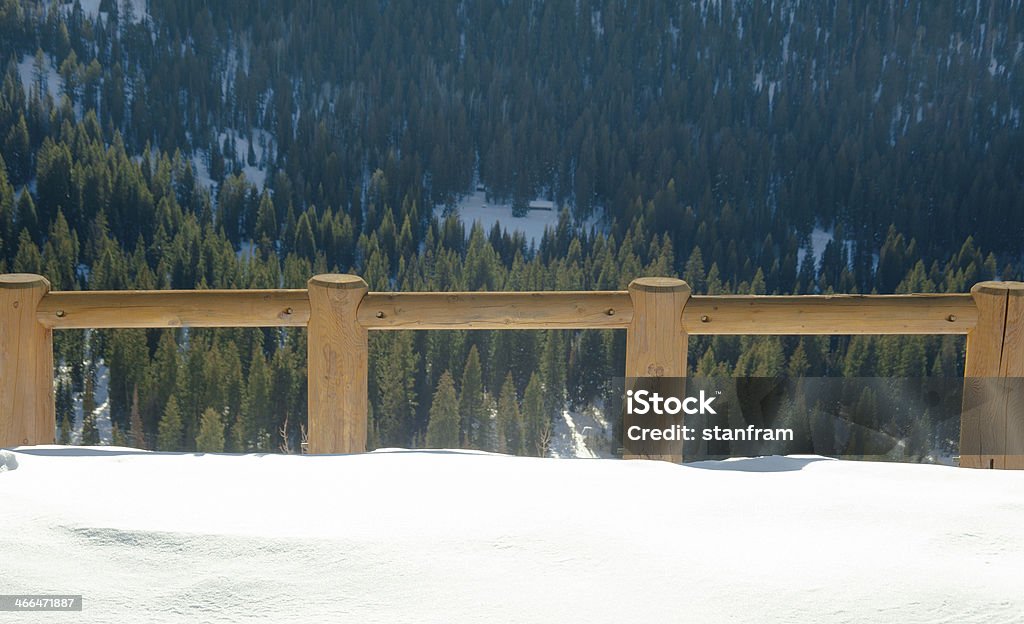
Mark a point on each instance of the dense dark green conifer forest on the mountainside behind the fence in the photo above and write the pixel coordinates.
(252, 144)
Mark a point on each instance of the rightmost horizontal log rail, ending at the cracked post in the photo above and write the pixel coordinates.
(837, 315)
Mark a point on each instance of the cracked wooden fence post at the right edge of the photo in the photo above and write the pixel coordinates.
(993, 421)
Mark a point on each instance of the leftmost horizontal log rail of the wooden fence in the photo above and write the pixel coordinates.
(123, 310)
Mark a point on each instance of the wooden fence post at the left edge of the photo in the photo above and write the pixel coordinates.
(27, 406)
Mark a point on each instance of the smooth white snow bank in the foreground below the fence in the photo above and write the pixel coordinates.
(442, 536)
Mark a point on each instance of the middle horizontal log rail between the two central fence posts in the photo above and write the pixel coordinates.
(589, 310)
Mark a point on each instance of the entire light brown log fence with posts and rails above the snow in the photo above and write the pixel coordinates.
(658, 314)
